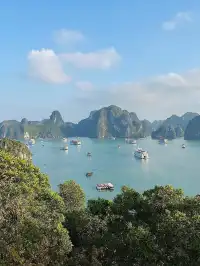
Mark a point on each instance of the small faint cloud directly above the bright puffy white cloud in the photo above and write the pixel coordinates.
(65, 36)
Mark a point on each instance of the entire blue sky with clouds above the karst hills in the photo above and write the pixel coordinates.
(78, 56)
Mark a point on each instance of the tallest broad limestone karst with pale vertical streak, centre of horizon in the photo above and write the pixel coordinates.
(113, 121)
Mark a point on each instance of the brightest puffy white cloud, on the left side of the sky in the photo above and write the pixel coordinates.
(44, 64)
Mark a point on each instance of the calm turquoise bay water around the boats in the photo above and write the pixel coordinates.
(168, 164)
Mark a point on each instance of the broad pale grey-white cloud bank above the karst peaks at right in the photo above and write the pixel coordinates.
(154, 98)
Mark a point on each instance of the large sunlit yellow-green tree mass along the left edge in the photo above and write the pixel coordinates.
(31, 216)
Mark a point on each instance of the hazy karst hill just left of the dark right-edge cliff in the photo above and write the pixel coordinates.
(174, 126)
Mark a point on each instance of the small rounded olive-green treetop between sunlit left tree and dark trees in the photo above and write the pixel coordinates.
(73, 196)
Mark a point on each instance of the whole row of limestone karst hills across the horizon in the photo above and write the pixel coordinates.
(103, 123)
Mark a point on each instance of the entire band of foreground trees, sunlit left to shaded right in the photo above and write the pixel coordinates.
(40, 227)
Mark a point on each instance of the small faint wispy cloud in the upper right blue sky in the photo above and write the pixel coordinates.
(179, 19)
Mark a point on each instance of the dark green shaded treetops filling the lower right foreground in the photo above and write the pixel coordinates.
(159, 227)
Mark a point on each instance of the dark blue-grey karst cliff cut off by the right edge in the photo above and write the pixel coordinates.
(192, 131)
